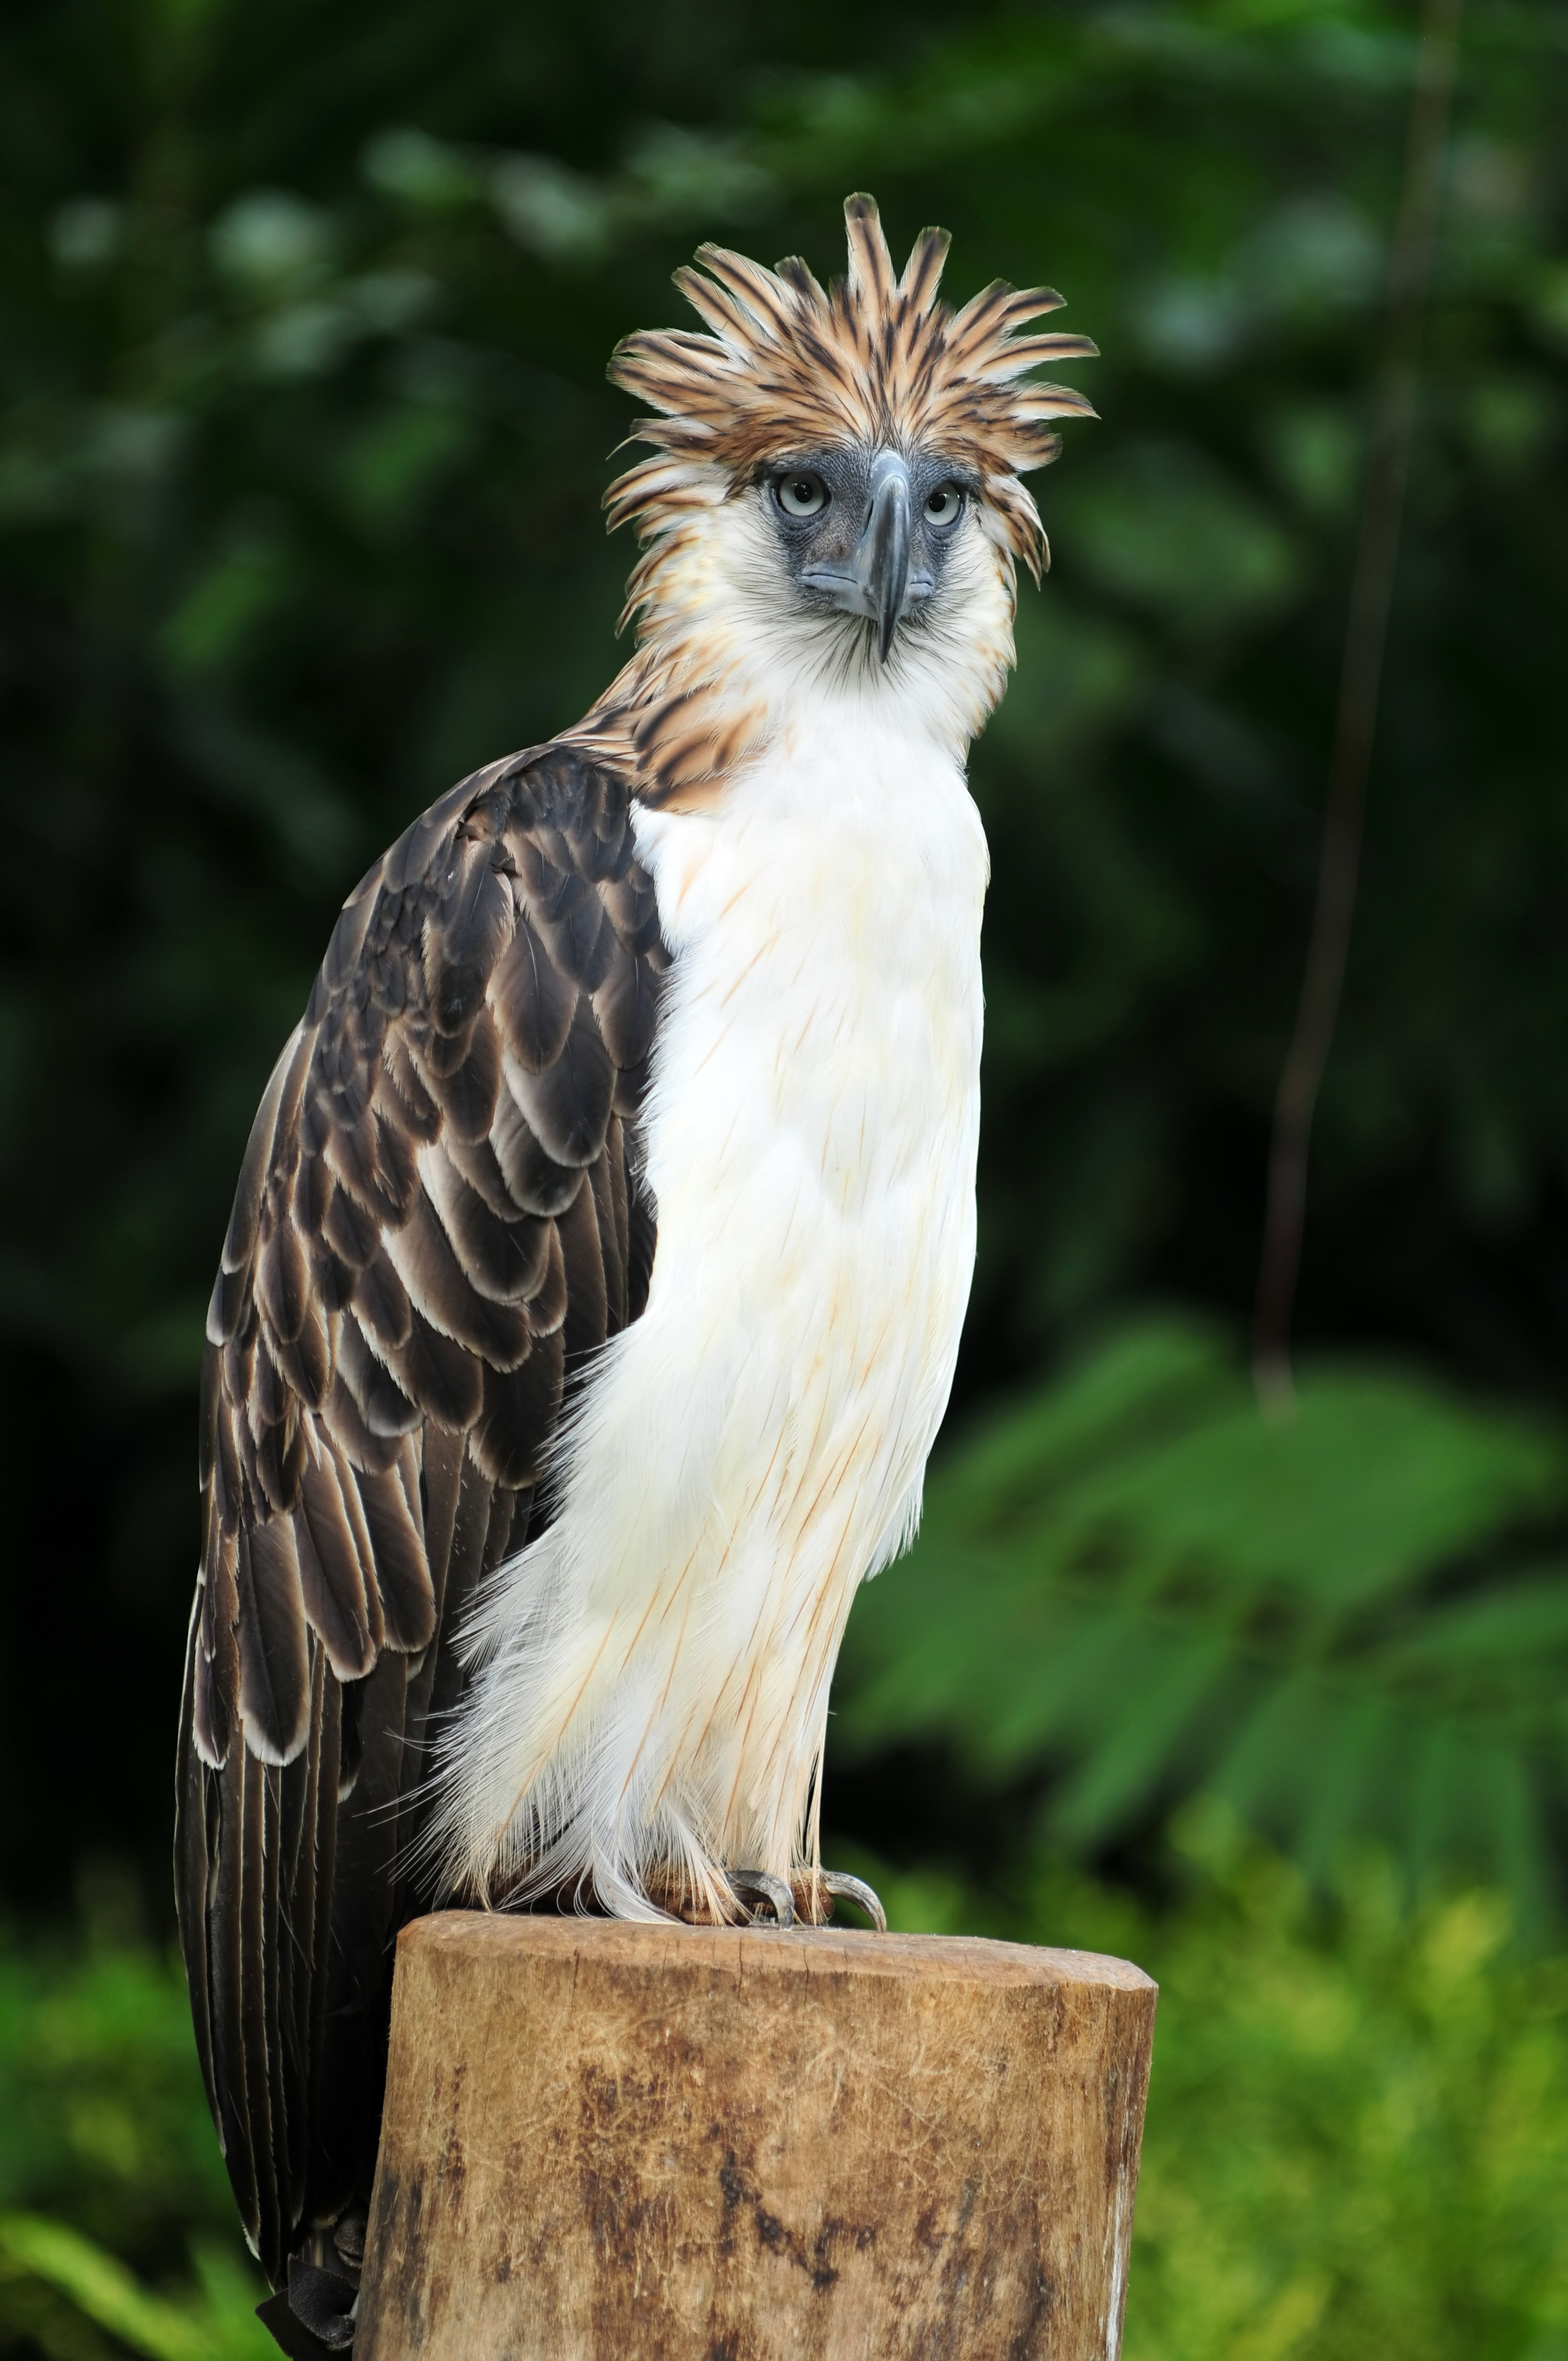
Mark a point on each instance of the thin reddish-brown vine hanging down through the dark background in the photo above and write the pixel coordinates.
(1357, 717)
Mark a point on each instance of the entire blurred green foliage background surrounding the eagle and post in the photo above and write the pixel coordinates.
(303, 431)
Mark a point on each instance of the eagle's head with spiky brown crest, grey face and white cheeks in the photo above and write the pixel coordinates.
(835, 488)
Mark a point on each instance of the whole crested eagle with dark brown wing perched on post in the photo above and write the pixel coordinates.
(601, 1250)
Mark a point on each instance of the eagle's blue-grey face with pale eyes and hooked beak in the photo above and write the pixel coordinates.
(868, 532)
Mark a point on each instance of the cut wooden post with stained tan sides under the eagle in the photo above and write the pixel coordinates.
(613, 2143)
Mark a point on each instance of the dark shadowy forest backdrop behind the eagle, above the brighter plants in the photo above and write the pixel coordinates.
(303, 433)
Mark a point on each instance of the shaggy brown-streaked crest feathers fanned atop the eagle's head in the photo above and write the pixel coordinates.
(875, 360)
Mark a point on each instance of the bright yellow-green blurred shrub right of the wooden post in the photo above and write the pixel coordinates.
(1359, 2114)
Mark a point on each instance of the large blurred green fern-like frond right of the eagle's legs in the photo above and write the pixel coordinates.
(1350, 1626)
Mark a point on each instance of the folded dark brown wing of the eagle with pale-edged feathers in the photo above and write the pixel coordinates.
(438, 1217)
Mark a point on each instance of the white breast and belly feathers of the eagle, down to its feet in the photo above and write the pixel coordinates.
(653, 1670)
